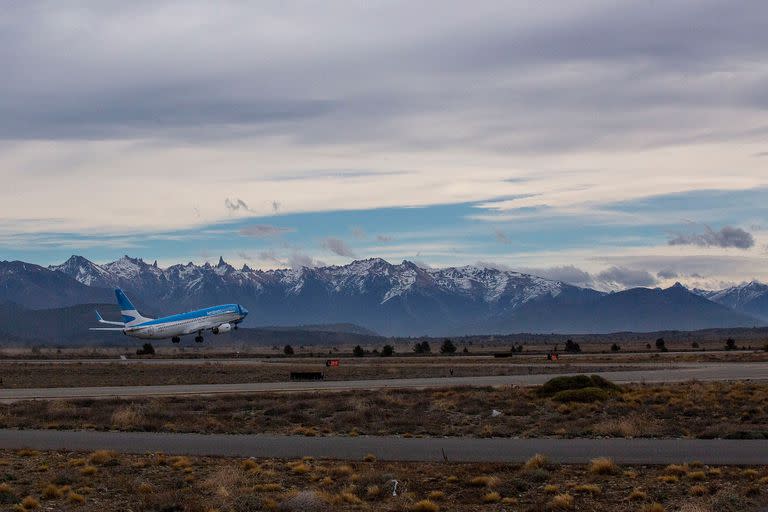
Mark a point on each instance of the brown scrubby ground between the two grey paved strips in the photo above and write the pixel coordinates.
(683, 410)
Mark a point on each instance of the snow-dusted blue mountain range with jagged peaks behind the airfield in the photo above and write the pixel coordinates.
(391, 299)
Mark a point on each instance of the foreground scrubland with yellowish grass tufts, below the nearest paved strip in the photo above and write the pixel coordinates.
(103, 482)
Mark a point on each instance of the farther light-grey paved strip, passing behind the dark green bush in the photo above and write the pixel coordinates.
(703, 371)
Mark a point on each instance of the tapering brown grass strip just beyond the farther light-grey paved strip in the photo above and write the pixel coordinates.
(45, 374)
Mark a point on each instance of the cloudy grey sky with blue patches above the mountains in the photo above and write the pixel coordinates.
(605, 145)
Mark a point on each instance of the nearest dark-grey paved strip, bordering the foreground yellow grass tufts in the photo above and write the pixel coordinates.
(624, 451)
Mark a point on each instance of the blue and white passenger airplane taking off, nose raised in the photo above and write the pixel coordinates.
(217, 319)
